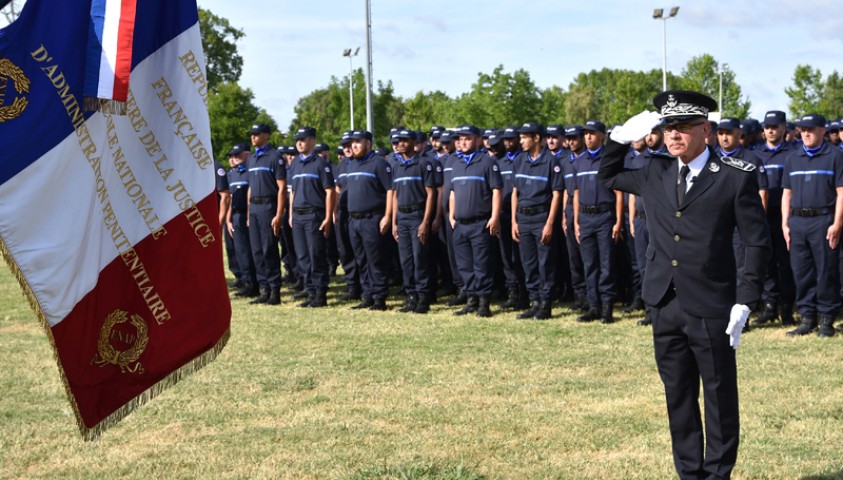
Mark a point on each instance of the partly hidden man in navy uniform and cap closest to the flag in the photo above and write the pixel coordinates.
(237, 218)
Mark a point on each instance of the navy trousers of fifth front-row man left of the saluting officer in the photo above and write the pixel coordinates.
(371, 252)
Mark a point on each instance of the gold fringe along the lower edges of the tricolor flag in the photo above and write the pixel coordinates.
(90, 434)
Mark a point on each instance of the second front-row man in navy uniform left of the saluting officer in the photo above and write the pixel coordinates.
(536, 196)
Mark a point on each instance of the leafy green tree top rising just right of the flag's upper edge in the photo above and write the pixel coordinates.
(219, 40)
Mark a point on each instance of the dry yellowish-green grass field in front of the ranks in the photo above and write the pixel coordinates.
(336, 394)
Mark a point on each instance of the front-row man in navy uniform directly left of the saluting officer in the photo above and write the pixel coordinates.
(598, 213)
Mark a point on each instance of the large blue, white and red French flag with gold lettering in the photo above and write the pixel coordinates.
(109, 221)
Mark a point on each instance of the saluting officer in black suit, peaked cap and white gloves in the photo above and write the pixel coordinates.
(690, 279)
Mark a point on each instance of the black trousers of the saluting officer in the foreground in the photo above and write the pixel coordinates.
(687, 349)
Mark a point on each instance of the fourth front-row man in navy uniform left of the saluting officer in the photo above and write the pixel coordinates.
(415, 182)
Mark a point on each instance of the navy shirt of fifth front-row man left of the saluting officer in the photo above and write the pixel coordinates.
(367, 182)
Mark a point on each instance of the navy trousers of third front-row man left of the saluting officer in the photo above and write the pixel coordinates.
(473, 250)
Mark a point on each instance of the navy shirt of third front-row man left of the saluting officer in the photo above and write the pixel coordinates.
(472, 181)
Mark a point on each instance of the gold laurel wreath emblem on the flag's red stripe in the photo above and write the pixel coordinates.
(127, 360)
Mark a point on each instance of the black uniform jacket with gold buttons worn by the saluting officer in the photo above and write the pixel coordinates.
(691, 244)
